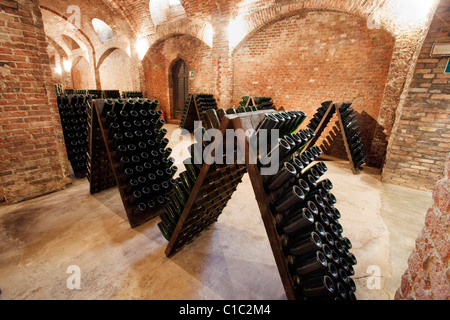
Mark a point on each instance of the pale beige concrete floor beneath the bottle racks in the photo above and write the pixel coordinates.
(41, 238)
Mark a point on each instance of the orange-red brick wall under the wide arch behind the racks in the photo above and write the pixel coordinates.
(306, 59)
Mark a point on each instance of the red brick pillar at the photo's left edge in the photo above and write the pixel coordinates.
(32, 154)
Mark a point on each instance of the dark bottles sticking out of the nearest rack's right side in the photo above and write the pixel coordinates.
(307, 220)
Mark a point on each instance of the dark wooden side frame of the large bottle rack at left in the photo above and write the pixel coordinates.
(103, 169)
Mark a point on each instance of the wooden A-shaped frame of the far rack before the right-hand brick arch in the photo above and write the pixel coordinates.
(334, 108)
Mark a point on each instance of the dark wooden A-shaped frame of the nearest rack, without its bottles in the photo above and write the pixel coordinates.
(244, 121)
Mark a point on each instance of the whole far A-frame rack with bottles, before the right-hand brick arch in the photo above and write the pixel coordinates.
(349, 131)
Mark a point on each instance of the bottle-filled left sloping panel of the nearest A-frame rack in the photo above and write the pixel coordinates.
(217, 188)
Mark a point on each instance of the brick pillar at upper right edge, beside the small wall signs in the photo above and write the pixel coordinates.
(421, 141)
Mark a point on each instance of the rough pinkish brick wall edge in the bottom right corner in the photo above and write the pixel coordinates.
(428, 273)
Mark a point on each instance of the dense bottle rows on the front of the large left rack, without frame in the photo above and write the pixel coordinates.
(139, 153)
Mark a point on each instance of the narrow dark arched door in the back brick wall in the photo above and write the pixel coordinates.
(180, 81)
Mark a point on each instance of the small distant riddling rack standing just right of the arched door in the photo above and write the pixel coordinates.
(194, 108)
